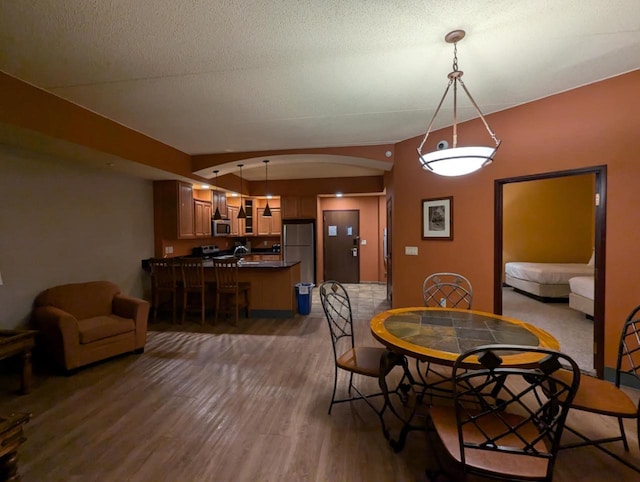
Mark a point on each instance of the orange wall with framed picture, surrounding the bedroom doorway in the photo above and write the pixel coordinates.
(593, 125)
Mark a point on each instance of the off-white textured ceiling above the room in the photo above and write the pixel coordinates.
(214, 76)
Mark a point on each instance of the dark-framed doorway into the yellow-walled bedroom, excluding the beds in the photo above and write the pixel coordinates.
(560, 217)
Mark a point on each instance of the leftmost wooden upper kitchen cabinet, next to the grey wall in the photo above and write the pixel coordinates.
(173, 211)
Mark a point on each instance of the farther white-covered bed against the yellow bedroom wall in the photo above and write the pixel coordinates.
(545, 280)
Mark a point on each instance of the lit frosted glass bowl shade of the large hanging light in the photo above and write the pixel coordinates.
(457, 161)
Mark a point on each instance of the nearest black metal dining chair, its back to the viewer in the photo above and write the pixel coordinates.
(506, 420)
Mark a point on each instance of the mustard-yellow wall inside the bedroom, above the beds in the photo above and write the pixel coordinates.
(549, 220)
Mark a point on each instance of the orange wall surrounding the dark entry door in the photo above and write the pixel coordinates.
(370, 229)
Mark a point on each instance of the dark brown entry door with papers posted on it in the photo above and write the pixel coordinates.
(341, 239)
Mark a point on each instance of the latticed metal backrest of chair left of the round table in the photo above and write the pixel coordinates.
(337, 309)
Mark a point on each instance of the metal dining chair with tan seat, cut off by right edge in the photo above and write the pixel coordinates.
(608, 399)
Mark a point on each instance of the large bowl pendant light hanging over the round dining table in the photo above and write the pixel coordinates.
(456, 161)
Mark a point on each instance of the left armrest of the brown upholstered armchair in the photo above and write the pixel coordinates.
(61, 328)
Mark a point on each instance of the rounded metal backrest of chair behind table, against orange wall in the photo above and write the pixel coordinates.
(448, 290)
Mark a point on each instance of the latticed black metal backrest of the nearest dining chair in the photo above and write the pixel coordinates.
(510, 409)
